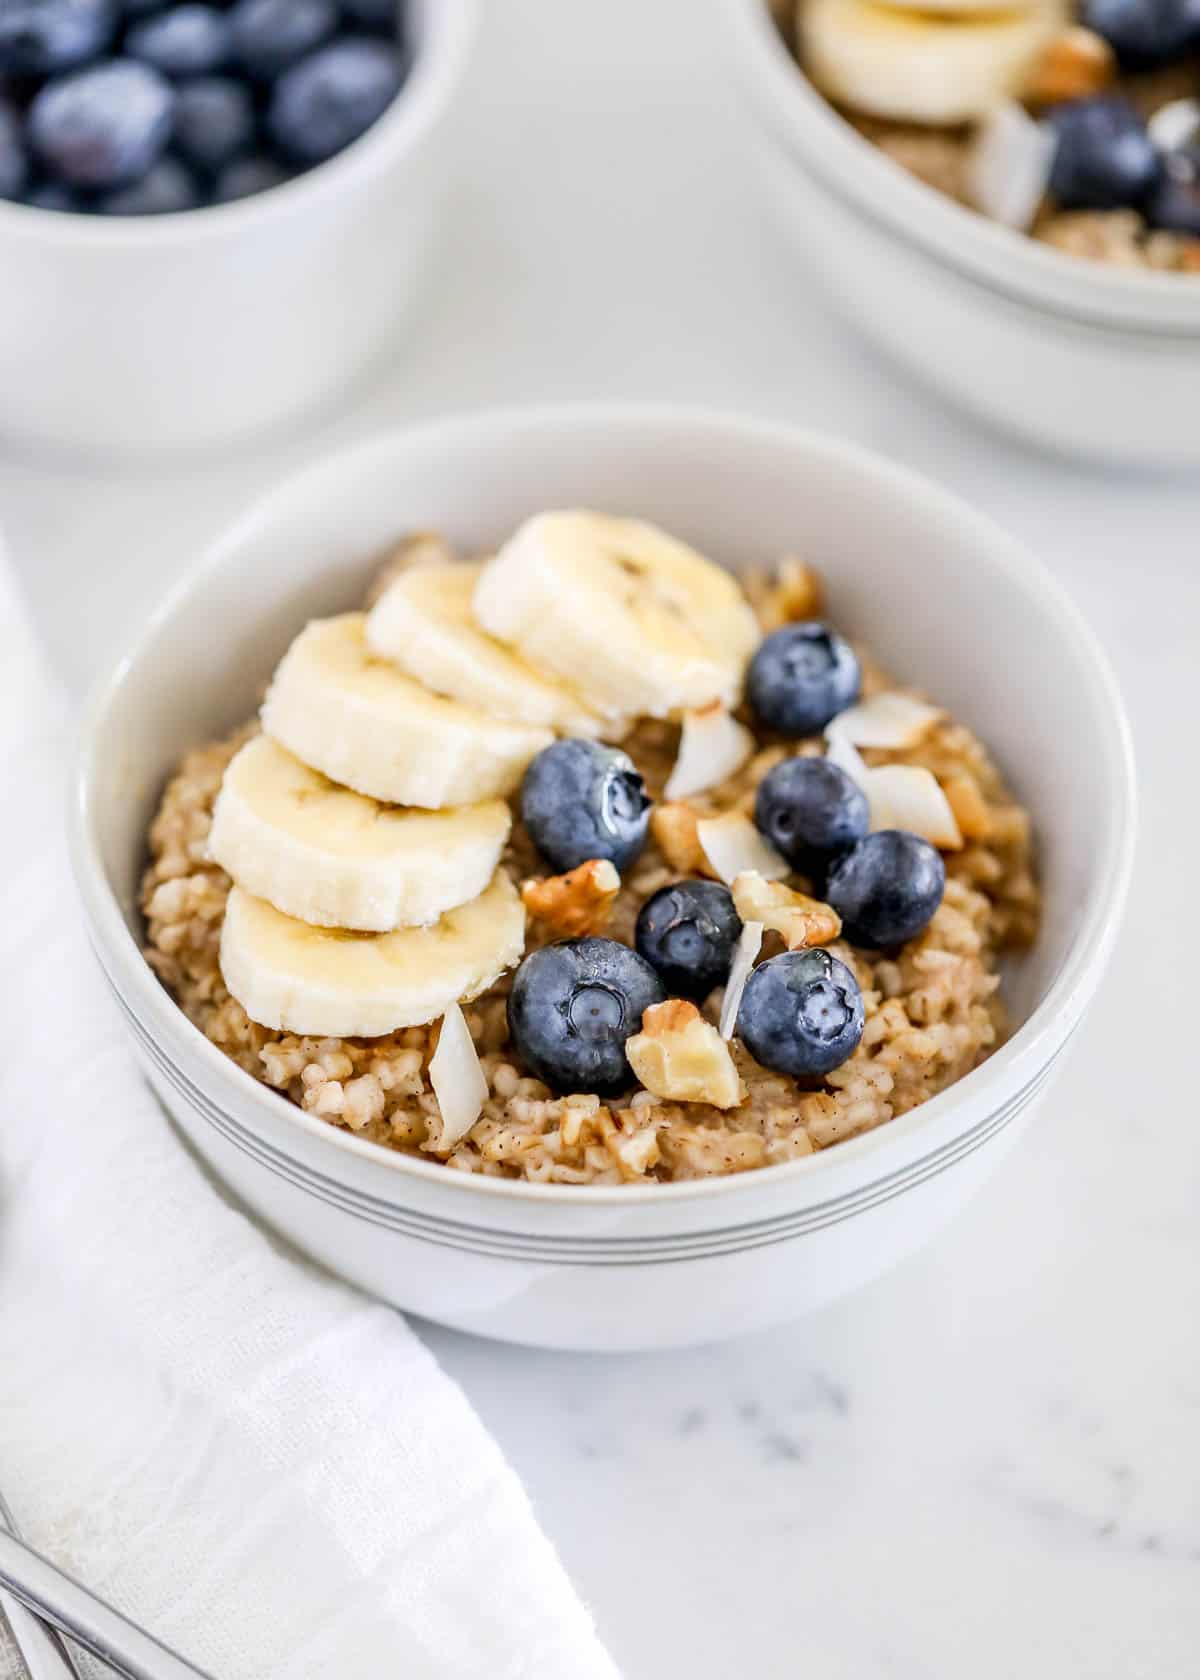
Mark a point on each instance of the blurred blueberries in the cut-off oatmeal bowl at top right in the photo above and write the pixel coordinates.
(1107, 159)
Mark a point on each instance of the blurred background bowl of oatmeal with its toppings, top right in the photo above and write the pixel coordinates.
(1001, 199)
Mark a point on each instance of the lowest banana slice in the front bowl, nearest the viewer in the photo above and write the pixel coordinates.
(332, 984)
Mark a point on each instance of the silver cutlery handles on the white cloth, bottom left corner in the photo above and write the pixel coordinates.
(50, 1593)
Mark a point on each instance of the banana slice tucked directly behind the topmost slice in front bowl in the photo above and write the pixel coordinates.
(424, 622)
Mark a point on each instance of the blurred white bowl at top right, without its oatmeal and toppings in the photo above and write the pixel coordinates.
(1071, 355)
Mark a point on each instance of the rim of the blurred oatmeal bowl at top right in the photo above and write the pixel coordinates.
(1090, 293)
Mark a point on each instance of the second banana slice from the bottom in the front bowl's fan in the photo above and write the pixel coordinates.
(339, 859)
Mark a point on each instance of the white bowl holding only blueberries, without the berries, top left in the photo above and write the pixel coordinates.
(150, 333)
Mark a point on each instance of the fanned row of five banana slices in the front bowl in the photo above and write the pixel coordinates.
(364, 829)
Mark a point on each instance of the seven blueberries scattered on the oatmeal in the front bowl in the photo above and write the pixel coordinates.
(574, 1005)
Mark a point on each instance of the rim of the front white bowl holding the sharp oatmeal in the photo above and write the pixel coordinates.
(1034, 1042)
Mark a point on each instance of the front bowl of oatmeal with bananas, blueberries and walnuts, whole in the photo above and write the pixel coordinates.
(603, 878)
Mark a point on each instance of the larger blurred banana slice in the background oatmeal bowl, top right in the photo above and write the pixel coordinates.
(922, 68)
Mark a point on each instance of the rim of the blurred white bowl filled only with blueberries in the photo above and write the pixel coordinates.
(443, 46)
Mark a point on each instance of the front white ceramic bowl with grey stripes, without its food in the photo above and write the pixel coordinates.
(947, 601)
